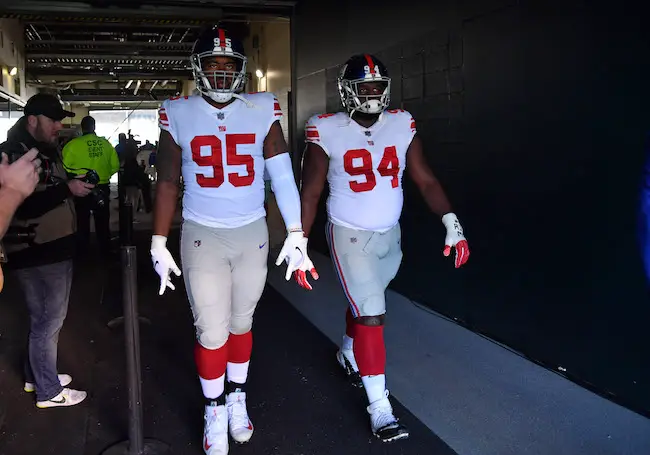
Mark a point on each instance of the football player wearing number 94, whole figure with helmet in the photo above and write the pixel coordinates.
(363, 154)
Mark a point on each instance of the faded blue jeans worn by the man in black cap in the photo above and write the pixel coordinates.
(47, 291)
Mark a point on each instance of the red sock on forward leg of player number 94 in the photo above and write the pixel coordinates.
(369, 349)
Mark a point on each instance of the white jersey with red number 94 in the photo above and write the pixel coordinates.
(365, 167)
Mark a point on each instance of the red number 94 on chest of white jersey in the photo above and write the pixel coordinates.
(359, 162)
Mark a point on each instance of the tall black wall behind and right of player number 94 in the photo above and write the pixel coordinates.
(533, 116)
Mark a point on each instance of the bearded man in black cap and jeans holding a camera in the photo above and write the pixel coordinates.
(40, 244)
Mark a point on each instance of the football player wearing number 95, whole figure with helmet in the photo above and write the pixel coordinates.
(221, 142)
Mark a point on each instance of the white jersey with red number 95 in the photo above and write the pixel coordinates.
(223, 159)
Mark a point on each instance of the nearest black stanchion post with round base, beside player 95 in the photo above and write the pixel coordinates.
(136, 444)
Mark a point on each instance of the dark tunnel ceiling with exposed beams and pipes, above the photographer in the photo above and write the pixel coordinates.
(88, 51)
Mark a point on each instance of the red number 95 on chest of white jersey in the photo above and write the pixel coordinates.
(215, 160)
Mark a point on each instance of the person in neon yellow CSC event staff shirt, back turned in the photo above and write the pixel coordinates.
(81, 155)
